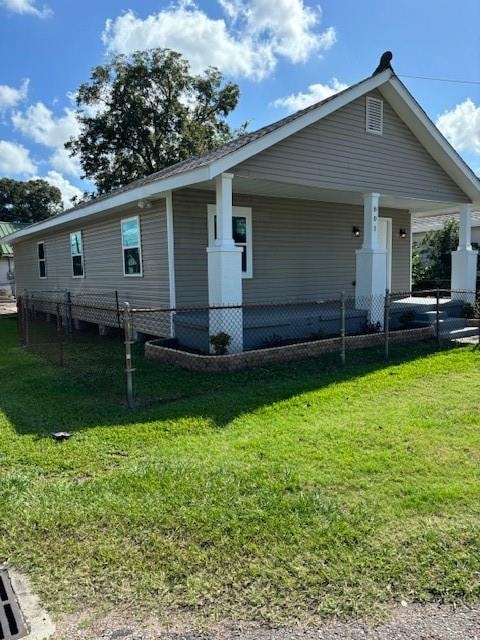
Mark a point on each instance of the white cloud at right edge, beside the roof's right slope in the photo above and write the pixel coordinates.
(461, 126)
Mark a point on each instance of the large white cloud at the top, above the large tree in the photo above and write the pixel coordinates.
(248, 43)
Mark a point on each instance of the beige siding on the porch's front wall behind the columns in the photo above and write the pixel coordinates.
(302, 250)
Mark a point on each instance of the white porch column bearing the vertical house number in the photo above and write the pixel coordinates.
(371, 263)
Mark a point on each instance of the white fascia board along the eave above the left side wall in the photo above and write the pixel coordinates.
(154, 189)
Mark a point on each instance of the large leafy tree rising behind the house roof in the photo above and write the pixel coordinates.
(141, 113)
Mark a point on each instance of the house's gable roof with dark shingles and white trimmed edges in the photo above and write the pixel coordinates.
(207, 166)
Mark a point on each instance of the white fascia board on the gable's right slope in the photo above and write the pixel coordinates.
(427, 133)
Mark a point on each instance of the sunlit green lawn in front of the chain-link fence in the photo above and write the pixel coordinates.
(286, 493)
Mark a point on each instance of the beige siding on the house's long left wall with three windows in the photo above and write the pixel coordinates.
(103, 266)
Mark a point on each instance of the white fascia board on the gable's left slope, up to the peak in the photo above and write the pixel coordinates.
(244, 153)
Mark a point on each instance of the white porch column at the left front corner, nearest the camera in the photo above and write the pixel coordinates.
(225, 271)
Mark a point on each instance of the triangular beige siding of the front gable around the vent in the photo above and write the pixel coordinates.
(337, 152)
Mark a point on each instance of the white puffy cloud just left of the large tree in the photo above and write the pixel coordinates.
(40, 125)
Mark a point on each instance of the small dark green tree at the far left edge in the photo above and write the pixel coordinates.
(28, 201)
